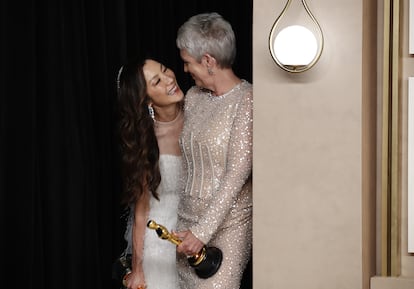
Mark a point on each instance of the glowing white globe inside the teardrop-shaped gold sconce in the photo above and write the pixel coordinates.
(295, 45)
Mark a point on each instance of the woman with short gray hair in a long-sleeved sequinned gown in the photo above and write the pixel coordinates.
(215, 208)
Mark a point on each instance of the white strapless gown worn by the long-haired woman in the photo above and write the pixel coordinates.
(159, 259)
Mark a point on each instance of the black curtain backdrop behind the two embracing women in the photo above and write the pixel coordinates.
(59, 176)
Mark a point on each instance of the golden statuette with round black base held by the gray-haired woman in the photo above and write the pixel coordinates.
(205, 263)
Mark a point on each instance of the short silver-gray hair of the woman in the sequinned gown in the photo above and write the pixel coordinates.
(208, 33)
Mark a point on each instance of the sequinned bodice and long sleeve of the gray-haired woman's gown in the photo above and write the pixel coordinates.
(216, 145)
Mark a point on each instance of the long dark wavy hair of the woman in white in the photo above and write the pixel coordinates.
(139, 148)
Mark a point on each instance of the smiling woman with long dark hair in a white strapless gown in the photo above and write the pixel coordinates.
(151, 119)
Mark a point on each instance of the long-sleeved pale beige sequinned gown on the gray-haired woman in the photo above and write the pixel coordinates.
(216, 204)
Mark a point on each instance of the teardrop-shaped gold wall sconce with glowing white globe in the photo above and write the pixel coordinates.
(296, 39)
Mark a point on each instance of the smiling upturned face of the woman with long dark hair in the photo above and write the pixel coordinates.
(162, 85)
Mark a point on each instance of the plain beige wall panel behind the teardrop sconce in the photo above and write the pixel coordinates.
(310, 157)
